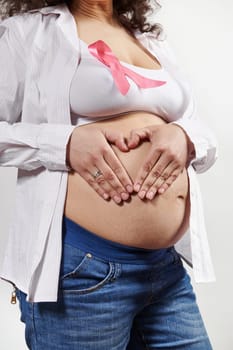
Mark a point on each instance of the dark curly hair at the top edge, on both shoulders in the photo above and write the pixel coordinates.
(132, 14)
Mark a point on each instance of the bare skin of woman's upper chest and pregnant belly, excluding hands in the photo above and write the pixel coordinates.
(150, 224)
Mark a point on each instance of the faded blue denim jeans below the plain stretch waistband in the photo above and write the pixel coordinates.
(106, 305)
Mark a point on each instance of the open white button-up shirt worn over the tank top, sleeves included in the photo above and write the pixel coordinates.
(39, 54)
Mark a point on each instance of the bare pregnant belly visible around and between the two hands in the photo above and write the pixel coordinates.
(140, 223)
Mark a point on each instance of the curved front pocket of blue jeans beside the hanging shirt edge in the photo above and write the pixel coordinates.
(81, 272)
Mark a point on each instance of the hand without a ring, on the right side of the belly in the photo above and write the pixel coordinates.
(168, 155)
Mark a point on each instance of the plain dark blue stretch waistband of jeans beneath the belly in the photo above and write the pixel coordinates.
(88, 241)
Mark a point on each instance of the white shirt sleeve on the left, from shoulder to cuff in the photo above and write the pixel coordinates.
(24, 145)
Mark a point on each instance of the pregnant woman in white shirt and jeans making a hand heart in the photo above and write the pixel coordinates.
(100, 122)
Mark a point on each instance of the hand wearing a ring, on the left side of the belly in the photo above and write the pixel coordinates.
(89, 151)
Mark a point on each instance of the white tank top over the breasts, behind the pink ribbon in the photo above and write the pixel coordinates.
(94, 94)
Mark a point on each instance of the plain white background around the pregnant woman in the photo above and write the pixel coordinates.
(200, 33)
